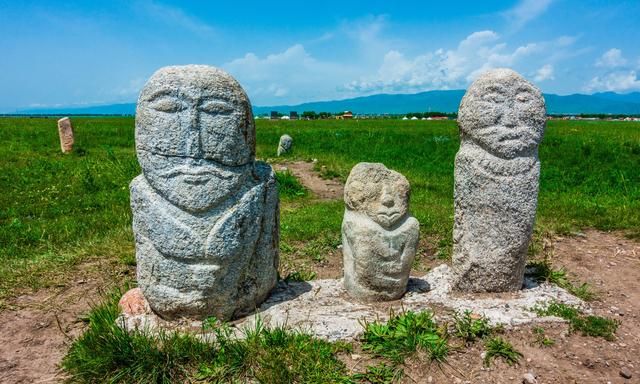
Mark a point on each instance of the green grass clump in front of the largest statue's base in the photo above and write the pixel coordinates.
(106, 353)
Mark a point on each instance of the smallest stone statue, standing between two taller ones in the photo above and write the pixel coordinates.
(379, 237)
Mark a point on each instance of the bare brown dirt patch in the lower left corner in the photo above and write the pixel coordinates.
(36, 331)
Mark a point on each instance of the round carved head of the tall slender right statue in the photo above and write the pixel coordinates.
(503, 113)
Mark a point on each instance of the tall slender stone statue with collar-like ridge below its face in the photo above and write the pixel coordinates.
(502, 119)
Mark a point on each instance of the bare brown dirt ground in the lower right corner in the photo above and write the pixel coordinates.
(611, 265)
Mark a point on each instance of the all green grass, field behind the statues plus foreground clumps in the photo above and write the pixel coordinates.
(59, 210)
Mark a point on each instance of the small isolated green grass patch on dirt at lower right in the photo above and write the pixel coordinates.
(588, 325)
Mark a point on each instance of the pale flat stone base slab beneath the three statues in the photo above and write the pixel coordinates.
(323, 307)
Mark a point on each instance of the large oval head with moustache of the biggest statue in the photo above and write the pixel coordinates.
(195, 135)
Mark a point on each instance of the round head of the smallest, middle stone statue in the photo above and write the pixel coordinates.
(379, 193)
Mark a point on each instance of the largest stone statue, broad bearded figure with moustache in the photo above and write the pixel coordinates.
(205, 213)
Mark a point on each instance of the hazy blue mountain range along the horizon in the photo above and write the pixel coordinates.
(440, 101)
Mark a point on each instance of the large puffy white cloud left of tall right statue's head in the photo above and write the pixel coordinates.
(446, 69)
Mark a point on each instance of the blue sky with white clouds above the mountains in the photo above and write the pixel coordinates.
(90, 52)
